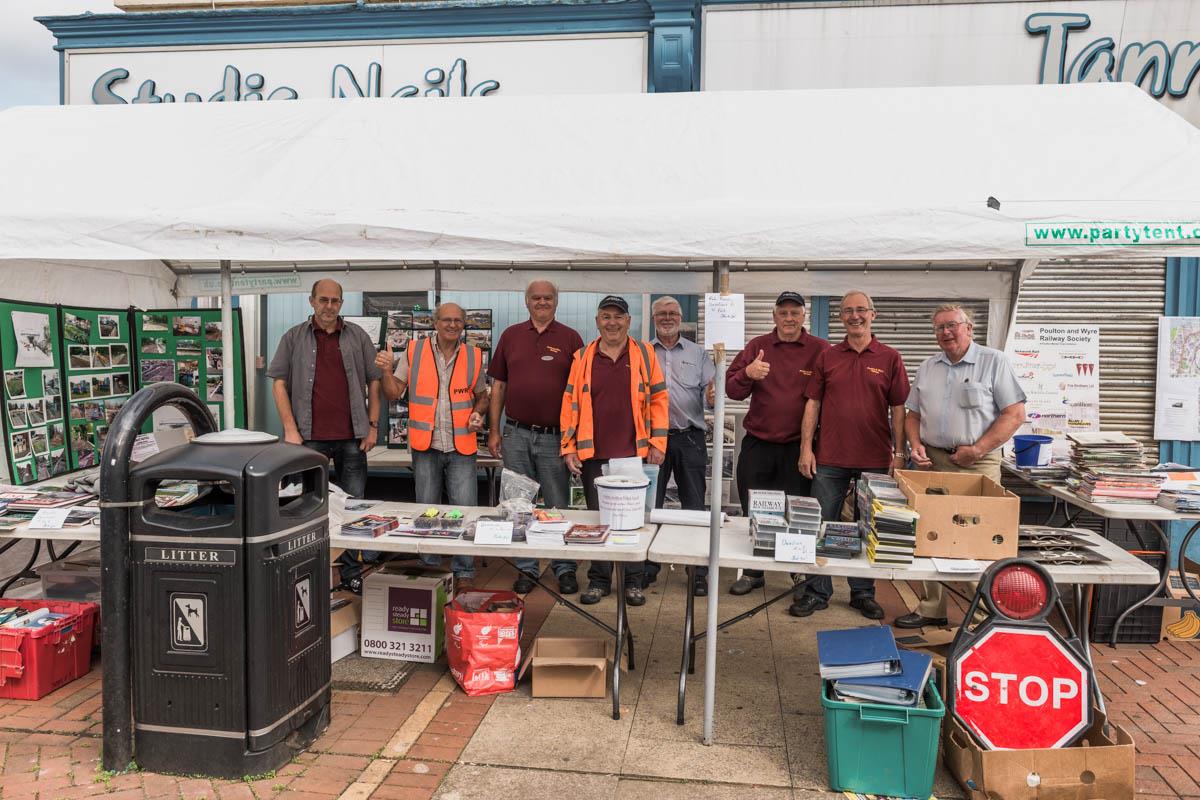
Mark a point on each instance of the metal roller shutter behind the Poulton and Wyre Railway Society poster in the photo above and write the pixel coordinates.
(1125, 298)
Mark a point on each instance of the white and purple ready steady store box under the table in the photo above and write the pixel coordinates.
(403, 615)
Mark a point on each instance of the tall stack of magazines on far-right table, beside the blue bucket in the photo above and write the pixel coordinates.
(1109, 467)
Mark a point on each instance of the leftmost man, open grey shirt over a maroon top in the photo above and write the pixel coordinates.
(327, 388)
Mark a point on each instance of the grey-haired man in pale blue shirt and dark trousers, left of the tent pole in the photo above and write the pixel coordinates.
(689, 374)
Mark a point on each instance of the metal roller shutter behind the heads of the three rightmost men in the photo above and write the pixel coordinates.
(905, 324)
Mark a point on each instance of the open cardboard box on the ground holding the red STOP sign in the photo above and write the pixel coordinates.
(1099, 767)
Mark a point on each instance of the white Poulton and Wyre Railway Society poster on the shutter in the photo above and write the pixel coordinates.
(1059, 368)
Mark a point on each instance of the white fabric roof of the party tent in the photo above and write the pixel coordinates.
(849, 176)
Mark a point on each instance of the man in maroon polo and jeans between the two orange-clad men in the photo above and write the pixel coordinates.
(530, 370)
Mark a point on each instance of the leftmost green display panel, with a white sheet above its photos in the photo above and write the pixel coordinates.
(34, 423)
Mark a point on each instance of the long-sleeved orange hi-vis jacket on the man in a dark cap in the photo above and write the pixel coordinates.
(647, 402)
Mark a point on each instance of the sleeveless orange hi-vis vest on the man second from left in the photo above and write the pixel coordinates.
(423, 395)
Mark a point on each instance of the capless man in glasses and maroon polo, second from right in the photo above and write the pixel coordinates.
(856, 399)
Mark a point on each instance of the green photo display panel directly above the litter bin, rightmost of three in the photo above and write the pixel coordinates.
(184, 346)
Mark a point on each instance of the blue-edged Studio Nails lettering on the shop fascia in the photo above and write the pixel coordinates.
(437, 83)
